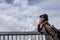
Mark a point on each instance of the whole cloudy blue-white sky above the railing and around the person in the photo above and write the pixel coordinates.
(23, 15)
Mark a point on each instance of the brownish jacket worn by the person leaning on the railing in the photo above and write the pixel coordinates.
(48, 31)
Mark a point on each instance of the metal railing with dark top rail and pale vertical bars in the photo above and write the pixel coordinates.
(21, 36)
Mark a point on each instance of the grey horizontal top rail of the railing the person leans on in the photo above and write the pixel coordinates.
(20, 33)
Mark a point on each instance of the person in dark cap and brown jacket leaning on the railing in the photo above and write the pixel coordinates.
(45, 28)
